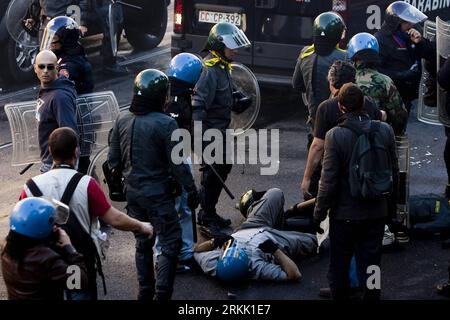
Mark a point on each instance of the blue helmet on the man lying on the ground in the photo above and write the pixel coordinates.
(233, 265)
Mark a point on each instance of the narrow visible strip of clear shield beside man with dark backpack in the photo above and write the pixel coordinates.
(402, 143)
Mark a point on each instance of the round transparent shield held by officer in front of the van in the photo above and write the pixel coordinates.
(245, 81)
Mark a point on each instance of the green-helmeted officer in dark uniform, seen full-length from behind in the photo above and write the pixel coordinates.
(141, 144)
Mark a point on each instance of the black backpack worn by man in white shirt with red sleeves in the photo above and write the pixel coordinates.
(81, 240)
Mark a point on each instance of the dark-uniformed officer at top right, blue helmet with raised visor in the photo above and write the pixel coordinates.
(400, 47)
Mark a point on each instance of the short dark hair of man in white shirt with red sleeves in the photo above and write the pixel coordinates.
(63, 143)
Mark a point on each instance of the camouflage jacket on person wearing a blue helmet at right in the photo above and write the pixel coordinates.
(386, 96)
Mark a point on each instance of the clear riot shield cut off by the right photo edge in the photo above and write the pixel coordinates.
(443, 53)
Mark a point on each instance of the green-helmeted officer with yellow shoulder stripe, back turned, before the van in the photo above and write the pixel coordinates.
(311, 70)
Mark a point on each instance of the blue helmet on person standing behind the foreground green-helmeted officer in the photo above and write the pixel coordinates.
(185, 67)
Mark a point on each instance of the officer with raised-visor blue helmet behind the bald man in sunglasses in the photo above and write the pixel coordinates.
(62, 36)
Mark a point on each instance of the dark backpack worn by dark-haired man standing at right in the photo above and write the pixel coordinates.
(370, 167)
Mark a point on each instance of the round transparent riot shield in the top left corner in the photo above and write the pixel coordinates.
(14, 17)
